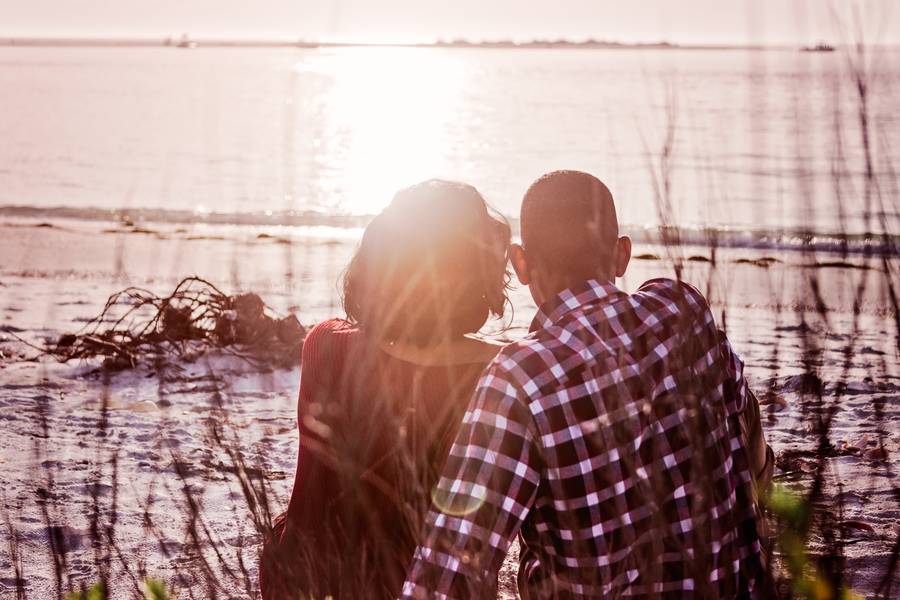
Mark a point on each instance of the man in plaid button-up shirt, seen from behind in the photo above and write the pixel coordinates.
(619, 438)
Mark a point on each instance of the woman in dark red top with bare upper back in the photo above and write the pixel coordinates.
(383, 391)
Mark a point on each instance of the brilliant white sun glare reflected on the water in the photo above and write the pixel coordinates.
(386, 113)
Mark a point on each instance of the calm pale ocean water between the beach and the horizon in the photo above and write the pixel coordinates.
(758, 140)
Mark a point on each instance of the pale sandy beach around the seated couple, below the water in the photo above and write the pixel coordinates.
(125, 471)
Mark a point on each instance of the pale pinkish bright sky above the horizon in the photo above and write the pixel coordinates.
(679, 21)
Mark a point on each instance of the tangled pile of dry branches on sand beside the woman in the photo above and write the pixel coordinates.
(136, 324)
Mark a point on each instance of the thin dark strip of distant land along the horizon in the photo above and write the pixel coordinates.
(190, 43)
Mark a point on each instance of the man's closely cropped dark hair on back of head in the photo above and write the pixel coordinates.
(569, 224)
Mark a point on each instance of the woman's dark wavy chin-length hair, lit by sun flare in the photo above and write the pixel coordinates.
(431, 265)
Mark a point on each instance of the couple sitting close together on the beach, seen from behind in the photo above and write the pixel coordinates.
(618, 440)
